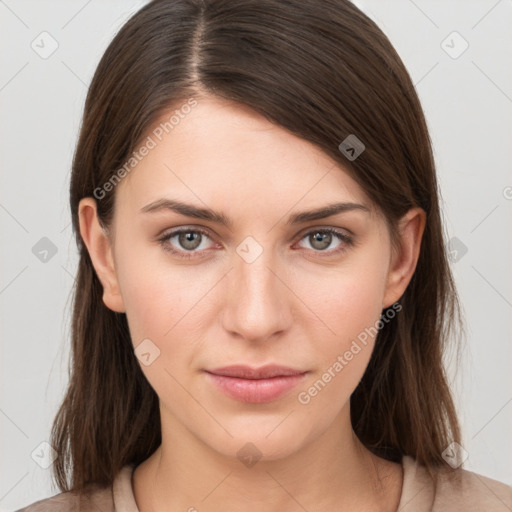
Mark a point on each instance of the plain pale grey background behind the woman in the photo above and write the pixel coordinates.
(467, 98)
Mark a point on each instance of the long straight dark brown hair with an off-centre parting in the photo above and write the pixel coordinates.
(323, 71)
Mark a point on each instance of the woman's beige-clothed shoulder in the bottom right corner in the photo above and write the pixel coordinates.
(456, 490)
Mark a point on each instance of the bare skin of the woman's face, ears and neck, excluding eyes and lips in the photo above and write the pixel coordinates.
(295, 305)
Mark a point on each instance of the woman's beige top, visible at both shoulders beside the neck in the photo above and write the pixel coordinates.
(467, 492)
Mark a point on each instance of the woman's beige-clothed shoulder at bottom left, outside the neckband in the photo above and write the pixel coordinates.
(96, 498)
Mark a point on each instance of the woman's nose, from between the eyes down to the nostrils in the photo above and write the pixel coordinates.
(256, 303)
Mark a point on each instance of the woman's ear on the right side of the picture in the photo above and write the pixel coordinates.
(405, 257)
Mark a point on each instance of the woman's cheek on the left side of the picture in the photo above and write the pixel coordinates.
(162, 308)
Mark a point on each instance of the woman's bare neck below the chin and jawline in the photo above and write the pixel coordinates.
(334, 472)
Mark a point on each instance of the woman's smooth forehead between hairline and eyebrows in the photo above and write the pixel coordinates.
(224, 150)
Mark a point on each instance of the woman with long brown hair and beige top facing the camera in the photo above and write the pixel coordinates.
(263, 294)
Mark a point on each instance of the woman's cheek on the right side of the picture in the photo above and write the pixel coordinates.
(349, 302)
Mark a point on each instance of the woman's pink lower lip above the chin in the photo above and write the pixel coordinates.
(255, 390)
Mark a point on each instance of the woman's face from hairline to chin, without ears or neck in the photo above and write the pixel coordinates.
(263, 286)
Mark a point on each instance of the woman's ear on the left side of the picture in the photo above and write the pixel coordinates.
(99, 247)
